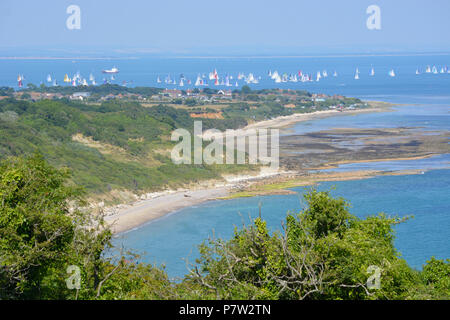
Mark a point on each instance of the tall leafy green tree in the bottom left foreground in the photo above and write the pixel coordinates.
(40, 236)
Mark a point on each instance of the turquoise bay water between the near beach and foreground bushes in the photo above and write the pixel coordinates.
(426, 196)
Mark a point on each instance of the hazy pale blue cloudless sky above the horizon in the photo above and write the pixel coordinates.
(222, 27)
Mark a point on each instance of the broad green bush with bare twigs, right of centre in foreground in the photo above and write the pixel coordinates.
(323, 253)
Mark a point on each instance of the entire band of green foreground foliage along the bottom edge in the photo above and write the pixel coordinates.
(323, 252)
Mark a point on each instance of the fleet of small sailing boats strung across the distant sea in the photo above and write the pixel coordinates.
(213, 78)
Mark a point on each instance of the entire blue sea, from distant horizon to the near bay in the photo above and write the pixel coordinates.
(423, 103)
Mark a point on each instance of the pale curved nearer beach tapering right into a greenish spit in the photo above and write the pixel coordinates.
(145, 211)
